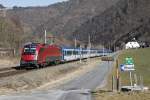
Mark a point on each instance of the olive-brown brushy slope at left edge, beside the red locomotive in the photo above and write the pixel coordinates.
(12, 35)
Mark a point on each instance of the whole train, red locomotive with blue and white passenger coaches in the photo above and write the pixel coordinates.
(40, 55)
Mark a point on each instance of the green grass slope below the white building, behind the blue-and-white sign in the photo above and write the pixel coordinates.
(141, 59)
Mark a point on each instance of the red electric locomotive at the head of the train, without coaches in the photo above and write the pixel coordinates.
(38, 55)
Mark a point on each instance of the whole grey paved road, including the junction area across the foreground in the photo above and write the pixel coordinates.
(76, 89)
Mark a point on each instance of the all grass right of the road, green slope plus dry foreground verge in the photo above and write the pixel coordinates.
(142, 66)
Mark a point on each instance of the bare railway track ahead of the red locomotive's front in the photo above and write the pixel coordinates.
(11, 71)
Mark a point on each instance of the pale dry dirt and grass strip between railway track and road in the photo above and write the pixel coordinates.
(46, 77)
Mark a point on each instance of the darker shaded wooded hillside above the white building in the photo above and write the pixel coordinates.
(118, 24)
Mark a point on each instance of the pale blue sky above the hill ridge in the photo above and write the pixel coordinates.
(25, 3)
